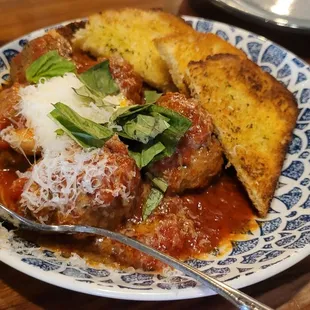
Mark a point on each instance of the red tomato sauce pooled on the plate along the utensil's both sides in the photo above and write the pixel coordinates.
(184, 226)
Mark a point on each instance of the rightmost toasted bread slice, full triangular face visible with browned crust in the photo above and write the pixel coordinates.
(254, 116)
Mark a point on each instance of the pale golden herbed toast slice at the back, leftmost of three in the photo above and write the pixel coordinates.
(130, 33)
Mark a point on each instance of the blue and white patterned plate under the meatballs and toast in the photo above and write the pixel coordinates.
(280, 241)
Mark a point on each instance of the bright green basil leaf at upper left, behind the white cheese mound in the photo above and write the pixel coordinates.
(49, 65)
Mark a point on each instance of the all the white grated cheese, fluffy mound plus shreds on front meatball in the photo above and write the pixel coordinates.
(66, 172)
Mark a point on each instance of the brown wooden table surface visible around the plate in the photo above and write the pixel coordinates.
(19, 291)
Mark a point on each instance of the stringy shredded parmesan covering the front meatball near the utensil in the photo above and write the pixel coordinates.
(60, 179)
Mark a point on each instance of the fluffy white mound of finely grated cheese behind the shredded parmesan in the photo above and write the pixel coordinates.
(37, 102)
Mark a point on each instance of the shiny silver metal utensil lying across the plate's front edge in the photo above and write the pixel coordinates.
(236, 297)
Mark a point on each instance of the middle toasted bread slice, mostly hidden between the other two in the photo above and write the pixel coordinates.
(178, 50)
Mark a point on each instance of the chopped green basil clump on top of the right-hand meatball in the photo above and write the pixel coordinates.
(149, 124)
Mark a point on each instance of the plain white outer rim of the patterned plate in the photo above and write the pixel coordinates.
(59, 280)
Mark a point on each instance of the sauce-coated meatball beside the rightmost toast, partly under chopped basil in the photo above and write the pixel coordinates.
(198, 157)
